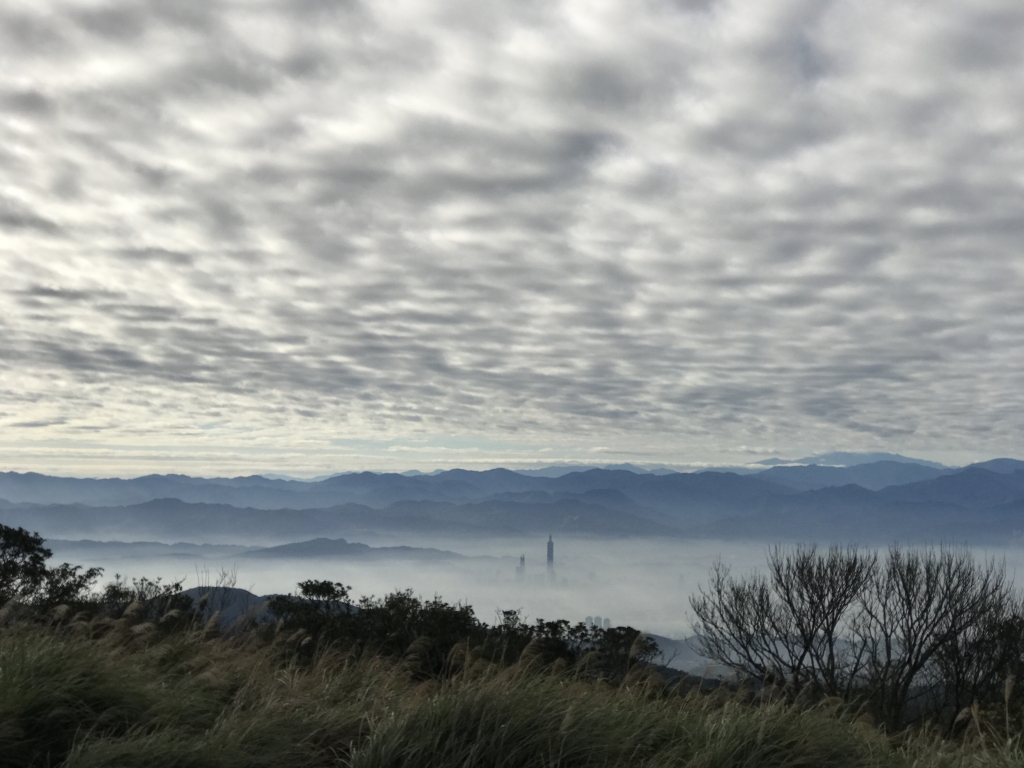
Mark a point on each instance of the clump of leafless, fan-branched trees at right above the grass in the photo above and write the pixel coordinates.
(913, 635)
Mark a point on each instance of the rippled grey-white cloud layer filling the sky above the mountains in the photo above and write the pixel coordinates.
(319, 235)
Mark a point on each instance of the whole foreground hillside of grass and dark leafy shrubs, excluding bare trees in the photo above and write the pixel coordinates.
(138, 675)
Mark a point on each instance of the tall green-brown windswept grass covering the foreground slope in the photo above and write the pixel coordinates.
(136, 697)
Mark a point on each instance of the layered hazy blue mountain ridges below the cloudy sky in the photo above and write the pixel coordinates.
(869, 502)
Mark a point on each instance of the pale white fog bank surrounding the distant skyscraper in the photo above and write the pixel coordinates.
(643, 583)
